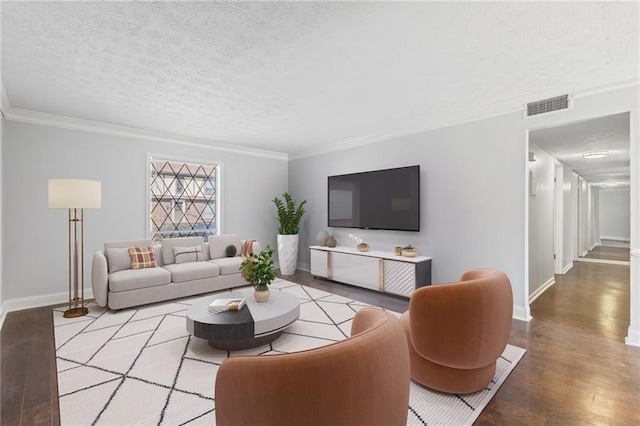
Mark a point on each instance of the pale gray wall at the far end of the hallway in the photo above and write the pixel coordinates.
(615, 220)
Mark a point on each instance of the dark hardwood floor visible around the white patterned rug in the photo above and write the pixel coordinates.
(577, 369)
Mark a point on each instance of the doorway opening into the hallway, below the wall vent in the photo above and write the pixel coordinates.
(579, 208)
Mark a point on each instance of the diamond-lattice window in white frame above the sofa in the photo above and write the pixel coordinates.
(183, 199)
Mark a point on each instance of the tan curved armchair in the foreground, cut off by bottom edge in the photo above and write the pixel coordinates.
(362, 380)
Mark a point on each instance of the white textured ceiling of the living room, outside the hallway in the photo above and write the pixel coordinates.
(303, 77)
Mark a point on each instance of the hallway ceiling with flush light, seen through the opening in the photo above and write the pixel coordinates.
(567, 143)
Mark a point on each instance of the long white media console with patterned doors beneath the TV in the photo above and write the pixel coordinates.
(375, 270)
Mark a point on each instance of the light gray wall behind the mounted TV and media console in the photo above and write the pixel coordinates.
(472, 196)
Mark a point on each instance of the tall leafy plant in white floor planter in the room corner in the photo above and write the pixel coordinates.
(289, 217)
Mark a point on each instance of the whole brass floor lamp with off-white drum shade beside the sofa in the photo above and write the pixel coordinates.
(75, 195)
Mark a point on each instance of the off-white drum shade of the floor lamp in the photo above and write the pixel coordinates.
(74, 194)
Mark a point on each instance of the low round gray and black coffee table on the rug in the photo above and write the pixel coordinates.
(254, 325)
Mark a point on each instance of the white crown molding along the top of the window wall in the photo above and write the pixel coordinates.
(45, 119)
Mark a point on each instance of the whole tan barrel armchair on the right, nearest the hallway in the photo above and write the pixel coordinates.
(457, 331)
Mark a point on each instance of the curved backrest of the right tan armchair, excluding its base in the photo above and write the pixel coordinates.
(466, 324)
